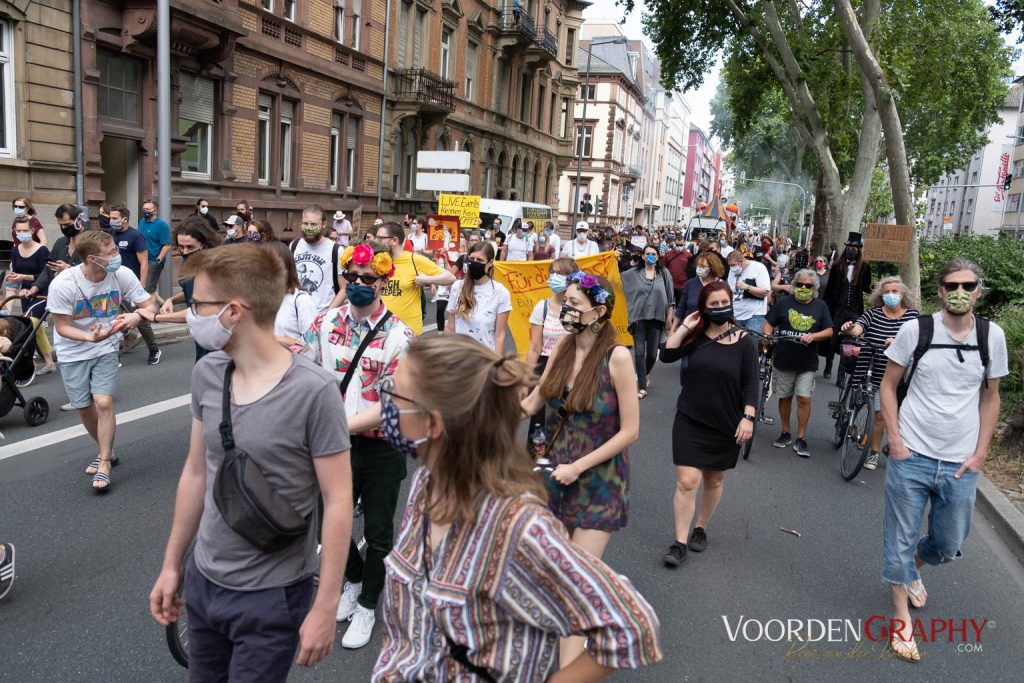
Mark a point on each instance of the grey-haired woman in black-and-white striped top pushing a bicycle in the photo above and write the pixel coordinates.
(892, 307)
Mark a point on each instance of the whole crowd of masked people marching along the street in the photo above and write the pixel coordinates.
(312, 361)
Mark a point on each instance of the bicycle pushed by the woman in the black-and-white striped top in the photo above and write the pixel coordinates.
(855, 412)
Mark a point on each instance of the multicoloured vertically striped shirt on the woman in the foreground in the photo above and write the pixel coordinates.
(507, 587)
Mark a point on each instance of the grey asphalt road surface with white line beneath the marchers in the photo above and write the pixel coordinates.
(86, 564)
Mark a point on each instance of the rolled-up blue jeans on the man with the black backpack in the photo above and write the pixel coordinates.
(911, 485)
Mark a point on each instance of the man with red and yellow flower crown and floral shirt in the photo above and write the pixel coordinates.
(361, 343)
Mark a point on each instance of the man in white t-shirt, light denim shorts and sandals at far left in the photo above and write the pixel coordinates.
(84, 303)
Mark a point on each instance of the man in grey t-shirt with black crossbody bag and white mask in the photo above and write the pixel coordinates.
(249, 584)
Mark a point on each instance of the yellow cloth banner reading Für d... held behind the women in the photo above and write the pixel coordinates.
(528, 283)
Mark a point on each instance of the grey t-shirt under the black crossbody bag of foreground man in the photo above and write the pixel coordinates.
(301, 419)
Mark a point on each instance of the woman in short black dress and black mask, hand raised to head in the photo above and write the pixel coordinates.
(710, 426)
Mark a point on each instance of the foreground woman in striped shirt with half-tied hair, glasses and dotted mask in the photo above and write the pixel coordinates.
(477, 529)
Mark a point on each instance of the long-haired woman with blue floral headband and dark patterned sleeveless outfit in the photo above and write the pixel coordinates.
(593, 415)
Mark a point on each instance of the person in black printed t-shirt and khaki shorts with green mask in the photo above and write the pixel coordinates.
(801, 317)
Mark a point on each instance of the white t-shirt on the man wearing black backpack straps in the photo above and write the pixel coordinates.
(941, 417)
